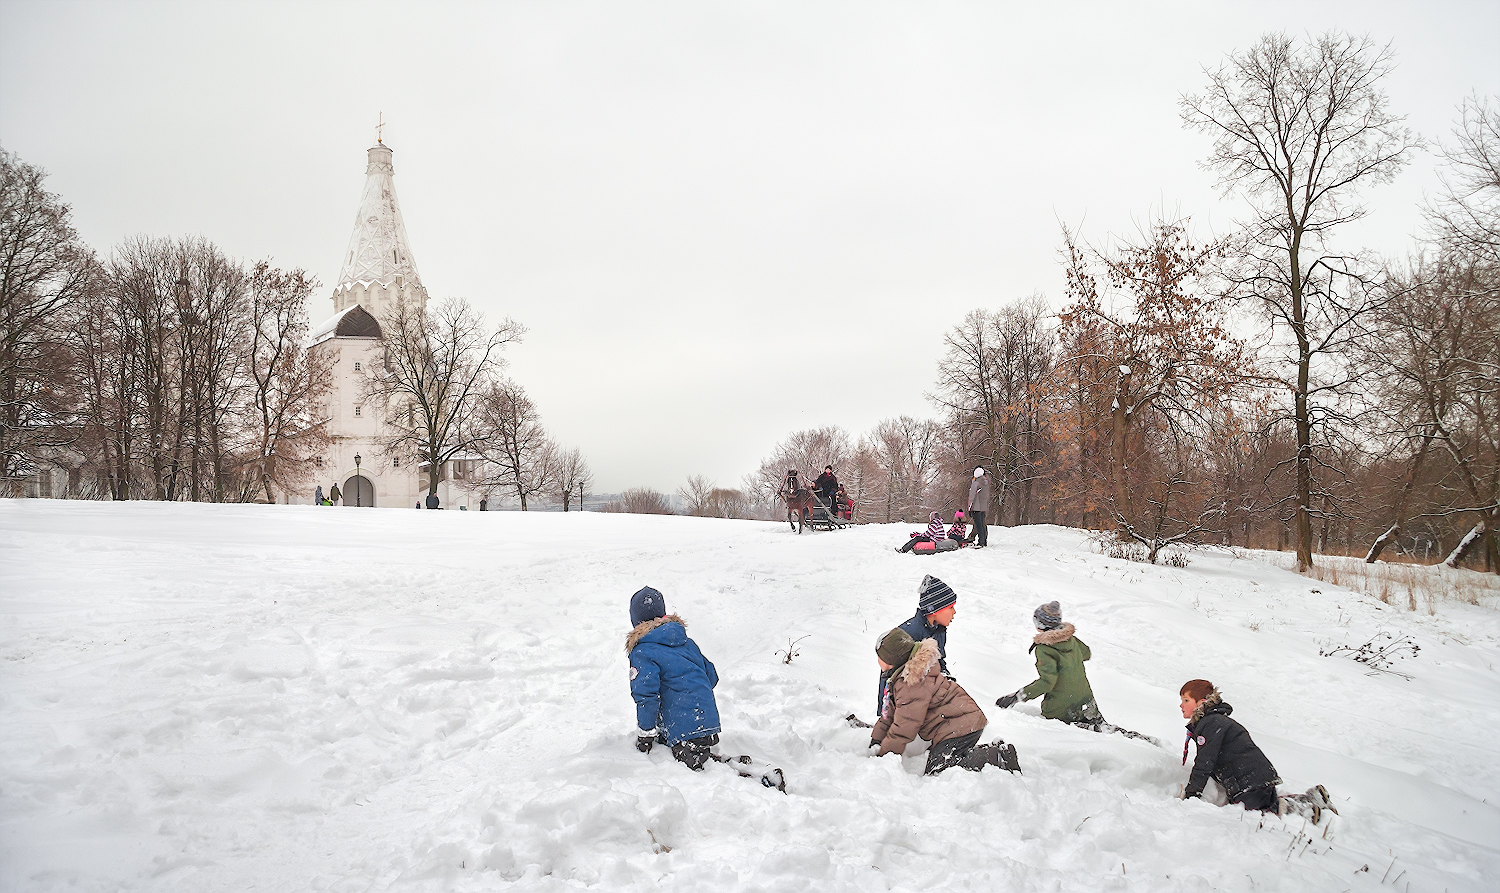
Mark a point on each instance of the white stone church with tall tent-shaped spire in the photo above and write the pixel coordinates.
(379, 271)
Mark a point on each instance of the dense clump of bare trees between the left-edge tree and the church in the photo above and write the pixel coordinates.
(194, 380)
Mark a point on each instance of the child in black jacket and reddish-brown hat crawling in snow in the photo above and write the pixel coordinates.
(1228, 756)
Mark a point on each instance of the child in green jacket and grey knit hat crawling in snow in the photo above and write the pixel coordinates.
(1061, 681)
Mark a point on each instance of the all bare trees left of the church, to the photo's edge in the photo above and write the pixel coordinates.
(166, 371)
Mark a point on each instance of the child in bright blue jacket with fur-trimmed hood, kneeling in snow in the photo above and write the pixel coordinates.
(671, 682)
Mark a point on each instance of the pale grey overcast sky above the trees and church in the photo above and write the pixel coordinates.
(721, 223)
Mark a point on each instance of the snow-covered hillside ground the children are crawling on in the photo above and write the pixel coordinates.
(296, 699)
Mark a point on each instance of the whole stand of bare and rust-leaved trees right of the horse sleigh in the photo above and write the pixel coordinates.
(1267, 388)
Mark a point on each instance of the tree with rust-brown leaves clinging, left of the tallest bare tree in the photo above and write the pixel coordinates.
(1169, 368)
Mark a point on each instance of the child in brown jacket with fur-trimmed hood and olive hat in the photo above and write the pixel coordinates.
(920, 702)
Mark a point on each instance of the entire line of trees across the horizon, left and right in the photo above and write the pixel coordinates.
(1271, 388)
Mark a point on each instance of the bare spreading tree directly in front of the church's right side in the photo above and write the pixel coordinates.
(437, 365)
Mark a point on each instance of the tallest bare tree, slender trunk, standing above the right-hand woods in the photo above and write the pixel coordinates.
(1301, 131)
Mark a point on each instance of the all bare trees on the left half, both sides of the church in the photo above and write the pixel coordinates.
(170, 371)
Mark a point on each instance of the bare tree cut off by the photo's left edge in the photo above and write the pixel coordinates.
(44, 268)
